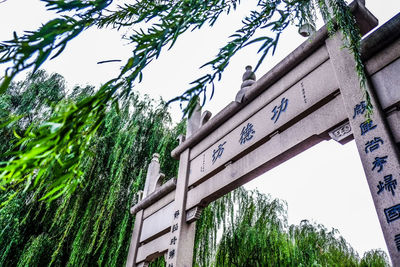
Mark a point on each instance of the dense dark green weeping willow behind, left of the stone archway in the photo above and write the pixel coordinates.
(92, 225)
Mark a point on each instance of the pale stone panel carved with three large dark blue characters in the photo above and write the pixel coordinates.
(277, 114)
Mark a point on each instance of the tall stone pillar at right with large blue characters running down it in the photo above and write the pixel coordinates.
(378, 152)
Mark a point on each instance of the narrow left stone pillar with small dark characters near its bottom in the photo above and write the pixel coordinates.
(180, 252)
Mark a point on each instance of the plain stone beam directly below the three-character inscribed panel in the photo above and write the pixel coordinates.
(279, 148)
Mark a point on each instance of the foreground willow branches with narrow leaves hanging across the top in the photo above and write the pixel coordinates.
(150, 26)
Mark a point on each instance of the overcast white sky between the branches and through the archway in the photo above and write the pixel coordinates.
(325, 184)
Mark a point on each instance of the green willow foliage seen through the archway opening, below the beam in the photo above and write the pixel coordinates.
(253, 231)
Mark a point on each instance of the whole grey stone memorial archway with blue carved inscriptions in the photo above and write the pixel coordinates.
(312, 95)
